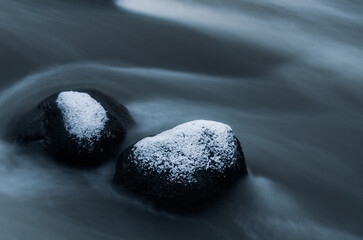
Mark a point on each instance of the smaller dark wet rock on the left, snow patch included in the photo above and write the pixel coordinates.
(81, 128)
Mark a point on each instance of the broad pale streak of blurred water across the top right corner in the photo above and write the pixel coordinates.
(319, 33)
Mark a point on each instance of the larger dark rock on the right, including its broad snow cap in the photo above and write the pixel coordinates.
(183, 167)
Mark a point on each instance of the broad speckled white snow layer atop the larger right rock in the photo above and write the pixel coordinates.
(187, 148)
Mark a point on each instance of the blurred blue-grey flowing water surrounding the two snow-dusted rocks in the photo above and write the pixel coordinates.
(286, 75)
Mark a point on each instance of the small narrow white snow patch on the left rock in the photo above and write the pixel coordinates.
(84, 117)
